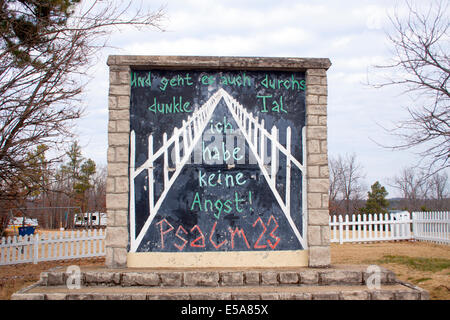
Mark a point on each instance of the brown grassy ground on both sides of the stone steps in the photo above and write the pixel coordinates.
(396, 256)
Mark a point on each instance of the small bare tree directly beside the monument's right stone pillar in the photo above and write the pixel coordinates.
(346, 185)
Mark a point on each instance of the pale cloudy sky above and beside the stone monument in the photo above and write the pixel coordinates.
(351, 33)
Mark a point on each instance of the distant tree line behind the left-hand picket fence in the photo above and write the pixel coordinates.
(57, 190)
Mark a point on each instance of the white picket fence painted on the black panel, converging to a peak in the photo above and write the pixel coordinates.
(190, 133)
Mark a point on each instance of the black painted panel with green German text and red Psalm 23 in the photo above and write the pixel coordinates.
(250, 218)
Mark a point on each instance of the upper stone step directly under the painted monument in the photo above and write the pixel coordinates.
(337, 275)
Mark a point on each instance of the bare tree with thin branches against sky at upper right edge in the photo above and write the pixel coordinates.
(420, 44)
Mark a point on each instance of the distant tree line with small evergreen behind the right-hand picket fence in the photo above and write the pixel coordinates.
(419, 190)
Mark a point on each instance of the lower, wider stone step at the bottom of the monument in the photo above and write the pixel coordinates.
(386, 292)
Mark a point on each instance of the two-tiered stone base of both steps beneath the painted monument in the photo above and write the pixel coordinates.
(336, 283)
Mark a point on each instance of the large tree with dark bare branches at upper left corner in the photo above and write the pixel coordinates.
(46, 48)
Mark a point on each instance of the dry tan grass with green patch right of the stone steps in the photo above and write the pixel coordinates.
(424, 264)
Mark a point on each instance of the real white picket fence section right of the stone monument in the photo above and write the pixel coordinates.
(424, 226)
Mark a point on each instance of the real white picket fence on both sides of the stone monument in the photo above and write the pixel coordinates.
(423, 226)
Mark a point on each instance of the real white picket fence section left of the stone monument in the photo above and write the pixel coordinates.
(52, 246)
